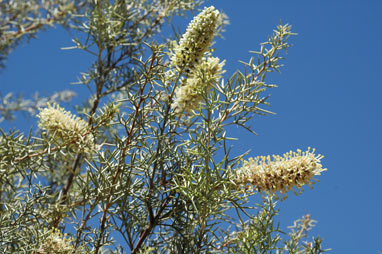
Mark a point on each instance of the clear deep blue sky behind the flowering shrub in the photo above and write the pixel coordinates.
(328, 98)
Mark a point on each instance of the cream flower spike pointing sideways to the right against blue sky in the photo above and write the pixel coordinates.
(281, 173)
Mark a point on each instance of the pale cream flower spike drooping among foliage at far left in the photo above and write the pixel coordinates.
(67, 130)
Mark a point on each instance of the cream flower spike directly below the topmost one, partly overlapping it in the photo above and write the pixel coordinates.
(190, 95)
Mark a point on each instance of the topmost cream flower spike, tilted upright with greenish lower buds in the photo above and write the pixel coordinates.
(197, 39)
